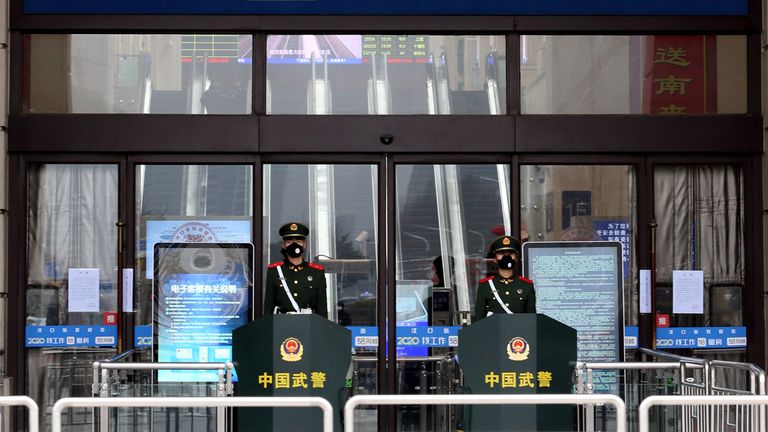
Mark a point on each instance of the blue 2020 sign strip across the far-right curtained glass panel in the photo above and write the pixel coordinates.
(701, 337)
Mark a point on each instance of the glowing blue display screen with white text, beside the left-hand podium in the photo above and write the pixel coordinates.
(202, 293)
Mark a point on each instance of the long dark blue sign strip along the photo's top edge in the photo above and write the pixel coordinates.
(392, 7)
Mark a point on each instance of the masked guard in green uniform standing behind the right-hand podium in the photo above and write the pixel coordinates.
(505, 293)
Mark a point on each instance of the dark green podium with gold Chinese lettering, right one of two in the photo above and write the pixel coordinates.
(518, 354)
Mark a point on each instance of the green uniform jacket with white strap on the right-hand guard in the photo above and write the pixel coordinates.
(517, 294)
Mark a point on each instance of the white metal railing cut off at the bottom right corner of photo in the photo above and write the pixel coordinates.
(716, 403)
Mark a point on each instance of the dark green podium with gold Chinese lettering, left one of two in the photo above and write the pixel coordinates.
(290, 355)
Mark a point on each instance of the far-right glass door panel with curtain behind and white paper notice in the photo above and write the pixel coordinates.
(700, 214)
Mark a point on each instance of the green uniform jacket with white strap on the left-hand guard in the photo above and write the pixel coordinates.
(306, 282)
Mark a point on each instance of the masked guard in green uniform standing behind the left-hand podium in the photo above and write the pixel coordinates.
(294, 285)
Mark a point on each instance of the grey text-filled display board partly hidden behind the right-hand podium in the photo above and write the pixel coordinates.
(580, 284)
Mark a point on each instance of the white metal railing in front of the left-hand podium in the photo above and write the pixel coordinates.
(195, 402)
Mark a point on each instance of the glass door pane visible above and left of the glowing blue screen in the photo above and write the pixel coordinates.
(175, 203)
